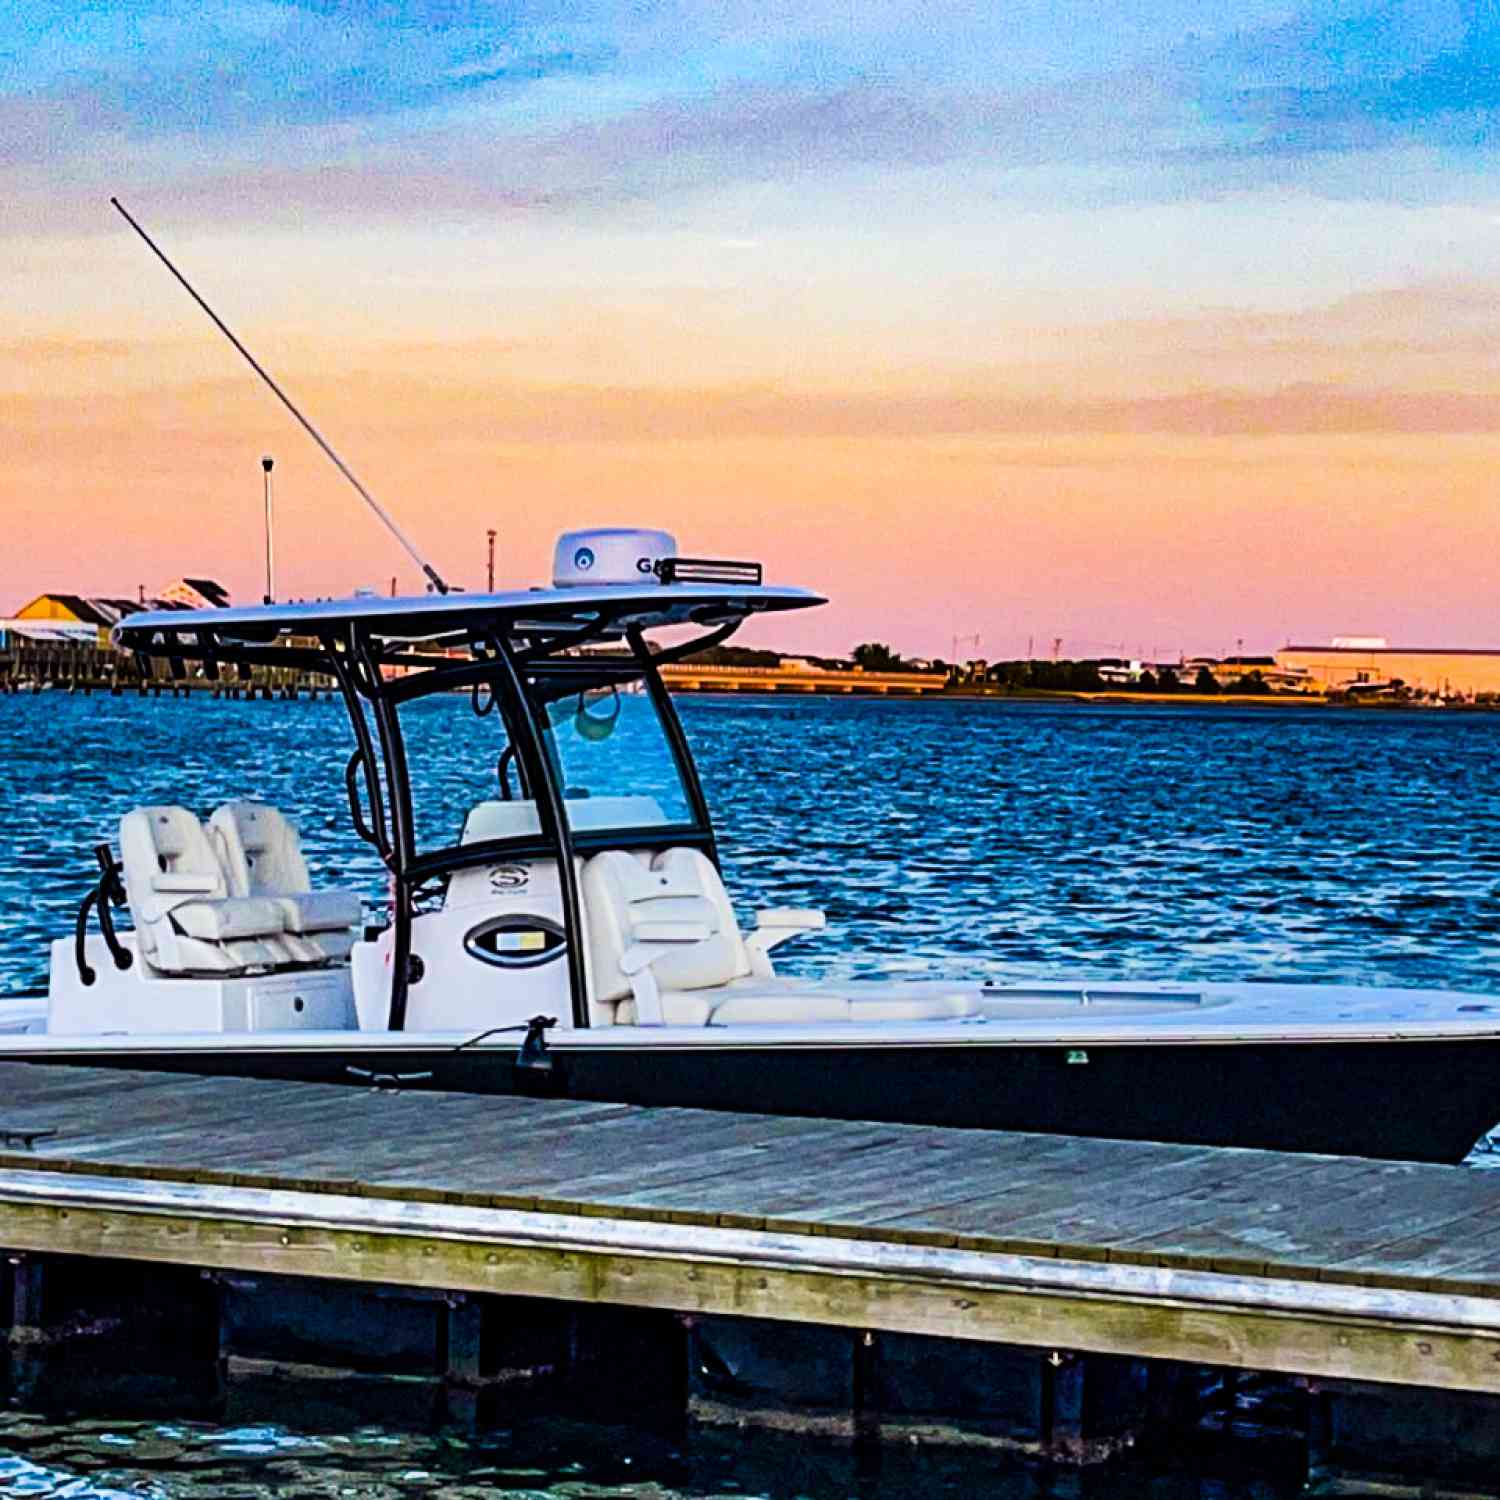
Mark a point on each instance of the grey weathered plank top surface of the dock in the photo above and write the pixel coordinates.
(1336, 1220)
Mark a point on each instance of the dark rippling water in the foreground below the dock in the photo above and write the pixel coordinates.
(544, 1460)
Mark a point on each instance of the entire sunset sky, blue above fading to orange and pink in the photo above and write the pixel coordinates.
(1094, 328)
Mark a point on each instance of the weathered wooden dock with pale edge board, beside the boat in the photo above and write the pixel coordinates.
(1319, 1267)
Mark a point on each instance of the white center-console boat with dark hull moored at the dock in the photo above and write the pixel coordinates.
(559, 922)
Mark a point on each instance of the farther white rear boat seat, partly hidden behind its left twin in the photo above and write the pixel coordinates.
(262, 856)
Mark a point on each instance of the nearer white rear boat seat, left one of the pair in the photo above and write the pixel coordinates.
(185, 916)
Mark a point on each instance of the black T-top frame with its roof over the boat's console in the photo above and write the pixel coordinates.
(521, 658)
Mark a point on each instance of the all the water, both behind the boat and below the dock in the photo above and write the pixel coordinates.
(955, 839)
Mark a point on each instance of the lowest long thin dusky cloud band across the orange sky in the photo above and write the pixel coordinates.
(497, 416)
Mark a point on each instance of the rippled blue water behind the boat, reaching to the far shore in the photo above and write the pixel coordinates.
(953, 838)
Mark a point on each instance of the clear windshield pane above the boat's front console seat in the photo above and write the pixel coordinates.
(611, 755)
